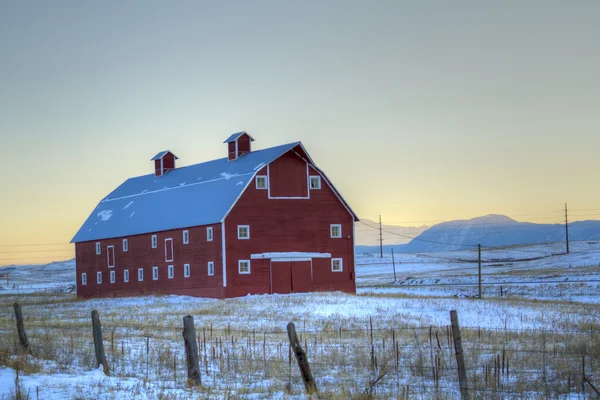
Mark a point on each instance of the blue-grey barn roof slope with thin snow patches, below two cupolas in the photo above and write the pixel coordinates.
(195, 195)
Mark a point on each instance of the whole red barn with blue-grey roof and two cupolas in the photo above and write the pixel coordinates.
(265, 221)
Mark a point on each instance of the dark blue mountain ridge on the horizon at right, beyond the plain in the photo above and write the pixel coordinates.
(491, 231)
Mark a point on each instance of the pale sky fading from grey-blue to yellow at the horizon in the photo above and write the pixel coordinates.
(419, 111)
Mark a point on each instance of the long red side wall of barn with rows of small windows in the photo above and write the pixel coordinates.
(141, 255)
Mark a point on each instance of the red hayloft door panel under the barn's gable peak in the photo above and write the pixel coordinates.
(287, 177)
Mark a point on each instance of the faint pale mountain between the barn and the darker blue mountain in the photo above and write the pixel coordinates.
(367, 233)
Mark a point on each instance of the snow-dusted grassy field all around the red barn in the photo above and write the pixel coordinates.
(547, 318)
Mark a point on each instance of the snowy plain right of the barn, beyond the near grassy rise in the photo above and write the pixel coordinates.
(533, 272)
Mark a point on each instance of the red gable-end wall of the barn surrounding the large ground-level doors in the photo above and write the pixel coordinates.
(284, 225)
